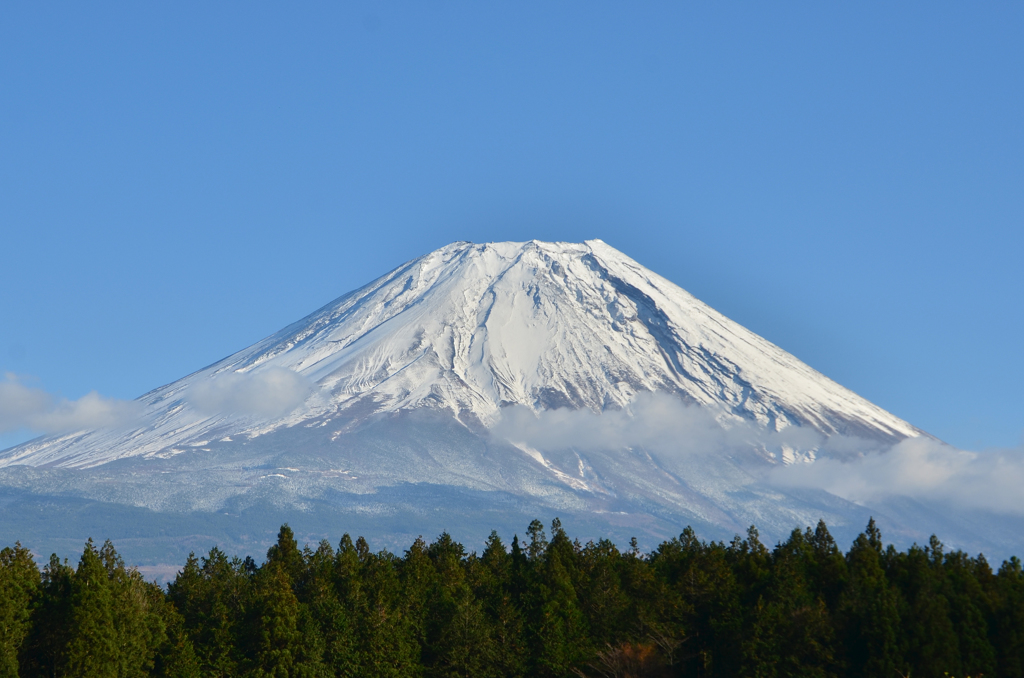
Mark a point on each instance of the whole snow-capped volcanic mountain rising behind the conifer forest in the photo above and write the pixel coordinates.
(475, 388)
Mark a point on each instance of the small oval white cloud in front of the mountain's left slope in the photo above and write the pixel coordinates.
(268, 394)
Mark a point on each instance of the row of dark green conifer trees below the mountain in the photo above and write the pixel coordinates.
(546, 607)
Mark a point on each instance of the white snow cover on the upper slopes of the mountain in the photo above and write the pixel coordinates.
(470, 329)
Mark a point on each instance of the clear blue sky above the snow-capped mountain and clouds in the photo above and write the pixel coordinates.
(179, 181)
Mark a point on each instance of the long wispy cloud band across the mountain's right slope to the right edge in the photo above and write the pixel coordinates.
(860, 471)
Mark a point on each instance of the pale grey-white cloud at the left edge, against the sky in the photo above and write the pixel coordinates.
(24, 407)
